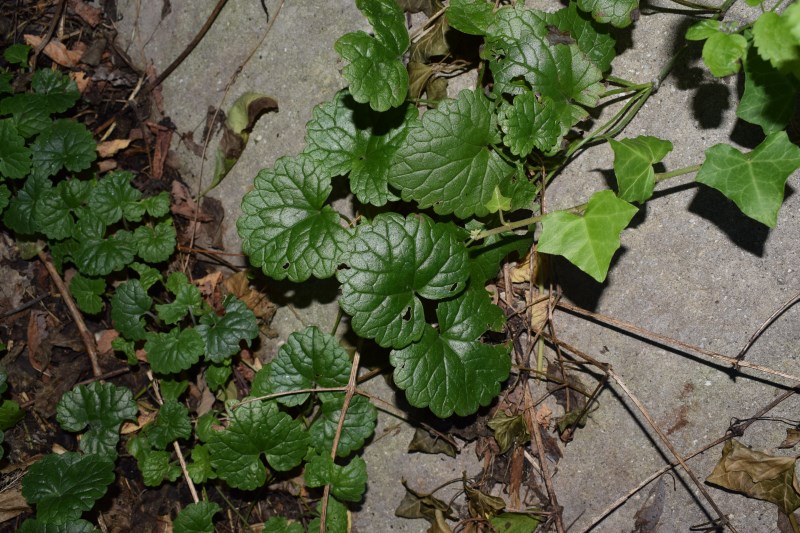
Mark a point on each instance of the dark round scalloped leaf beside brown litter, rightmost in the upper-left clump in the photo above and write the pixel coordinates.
(66, 144)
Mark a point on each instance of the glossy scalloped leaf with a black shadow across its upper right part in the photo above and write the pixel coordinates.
(345, 136)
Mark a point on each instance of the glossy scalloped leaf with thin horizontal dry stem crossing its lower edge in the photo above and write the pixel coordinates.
(308, 359)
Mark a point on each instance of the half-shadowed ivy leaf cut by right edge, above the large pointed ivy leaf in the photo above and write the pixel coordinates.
(769, 96)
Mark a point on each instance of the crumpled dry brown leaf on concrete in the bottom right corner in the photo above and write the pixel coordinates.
(757, 475)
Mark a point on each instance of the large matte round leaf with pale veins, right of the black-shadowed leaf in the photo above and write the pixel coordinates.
(445, 160)
